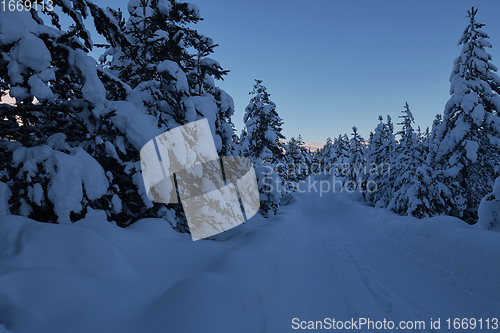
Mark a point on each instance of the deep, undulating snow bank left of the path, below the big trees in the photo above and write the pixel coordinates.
(92, 276)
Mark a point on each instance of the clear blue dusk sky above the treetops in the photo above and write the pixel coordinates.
(330, 65)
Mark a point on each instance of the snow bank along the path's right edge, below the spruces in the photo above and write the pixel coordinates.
(449, 243)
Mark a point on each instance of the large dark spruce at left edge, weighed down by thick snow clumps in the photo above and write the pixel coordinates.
(52, 137)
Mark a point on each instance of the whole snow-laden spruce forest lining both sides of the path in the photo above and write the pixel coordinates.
(70, 142)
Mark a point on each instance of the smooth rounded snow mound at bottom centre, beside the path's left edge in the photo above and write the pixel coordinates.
(197, 296)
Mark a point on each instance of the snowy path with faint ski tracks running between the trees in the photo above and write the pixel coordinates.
(334, 267)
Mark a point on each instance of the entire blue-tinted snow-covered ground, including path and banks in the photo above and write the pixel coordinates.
(322, 256)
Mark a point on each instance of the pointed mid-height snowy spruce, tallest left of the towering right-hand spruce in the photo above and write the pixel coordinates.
(412, 177)
